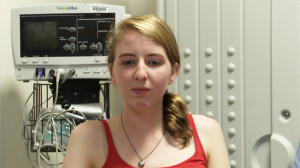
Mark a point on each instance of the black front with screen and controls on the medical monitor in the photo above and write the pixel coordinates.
(65, 35)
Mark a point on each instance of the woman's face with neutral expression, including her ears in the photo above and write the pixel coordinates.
(141, 71)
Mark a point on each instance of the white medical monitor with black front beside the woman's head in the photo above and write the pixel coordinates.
(69, 36)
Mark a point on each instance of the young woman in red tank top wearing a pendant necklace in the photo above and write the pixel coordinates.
(154, 129)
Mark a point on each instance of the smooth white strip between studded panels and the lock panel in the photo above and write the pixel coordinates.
(257, 82)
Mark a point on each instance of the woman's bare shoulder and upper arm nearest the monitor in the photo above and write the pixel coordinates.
(86, 142)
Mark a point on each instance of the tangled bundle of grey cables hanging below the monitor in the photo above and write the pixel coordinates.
(67, 115)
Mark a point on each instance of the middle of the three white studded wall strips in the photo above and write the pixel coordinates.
(210, 58)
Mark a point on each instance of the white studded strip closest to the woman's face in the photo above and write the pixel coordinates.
(188, 46)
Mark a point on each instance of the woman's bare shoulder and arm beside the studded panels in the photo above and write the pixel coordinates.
(212, 139)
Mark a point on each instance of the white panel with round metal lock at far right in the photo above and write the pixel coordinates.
(285, 82)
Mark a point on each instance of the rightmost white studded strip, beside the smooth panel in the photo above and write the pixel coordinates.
(232, 70)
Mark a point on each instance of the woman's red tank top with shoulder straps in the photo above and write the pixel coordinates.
(198, 160)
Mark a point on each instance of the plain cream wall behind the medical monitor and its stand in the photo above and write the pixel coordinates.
(14, 93)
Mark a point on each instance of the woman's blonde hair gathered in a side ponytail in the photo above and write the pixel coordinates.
(174, 108)
